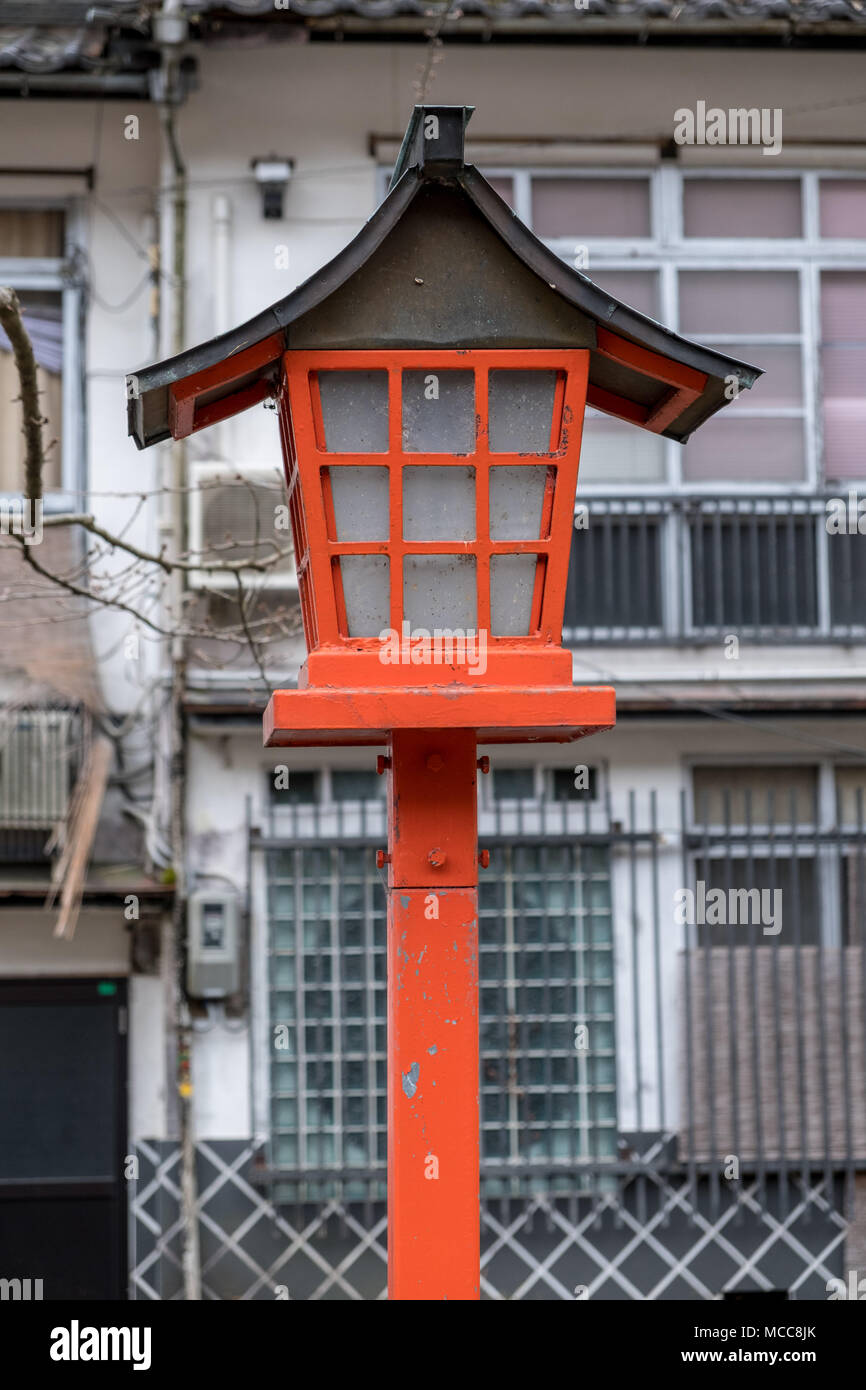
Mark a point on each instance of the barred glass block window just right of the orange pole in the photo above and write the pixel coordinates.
(547, 968)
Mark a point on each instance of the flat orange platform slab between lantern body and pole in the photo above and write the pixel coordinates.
(500, 715)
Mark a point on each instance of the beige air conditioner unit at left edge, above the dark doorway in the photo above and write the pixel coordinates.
(37, 753)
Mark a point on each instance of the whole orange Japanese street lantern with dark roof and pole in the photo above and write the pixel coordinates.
(432, 386)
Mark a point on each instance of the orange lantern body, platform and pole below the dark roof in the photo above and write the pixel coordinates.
(434, 622)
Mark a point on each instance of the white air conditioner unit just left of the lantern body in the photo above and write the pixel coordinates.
(234, 516)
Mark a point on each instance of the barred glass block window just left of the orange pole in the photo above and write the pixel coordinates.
(327, 1014)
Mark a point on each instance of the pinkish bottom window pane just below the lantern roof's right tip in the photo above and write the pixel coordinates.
(746, 450)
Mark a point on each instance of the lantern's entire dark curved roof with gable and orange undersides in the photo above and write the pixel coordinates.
(444, 263)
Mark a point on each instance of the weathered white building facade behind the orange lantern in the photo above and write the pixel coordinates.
(673, 968)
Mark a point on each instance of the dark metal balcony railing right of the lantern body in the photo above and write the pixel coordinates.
(693, 571)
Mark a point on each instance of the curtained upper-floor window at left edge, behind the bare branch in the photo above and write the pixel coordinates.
(31, 262)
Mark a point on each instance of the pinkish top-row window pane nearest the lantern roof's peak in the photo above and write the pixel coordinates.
(591, 208)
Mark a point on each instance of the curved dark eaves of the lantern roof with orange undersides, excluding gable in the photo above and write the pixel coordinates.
(640, 370)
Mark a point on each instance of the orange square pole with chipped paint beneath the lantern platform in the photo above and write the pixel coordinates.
(434, 1214)
